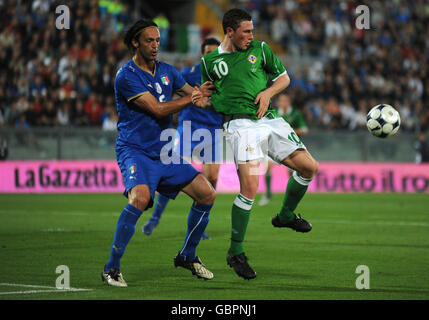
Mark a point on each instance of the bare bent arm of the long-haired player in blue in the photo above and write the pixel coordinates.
(149, 103)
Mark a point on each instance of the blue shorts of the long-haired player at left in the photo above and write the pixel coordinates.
(139, 169)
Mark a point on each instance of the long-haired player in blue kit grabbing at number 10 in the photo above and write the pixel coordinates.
(143, 89)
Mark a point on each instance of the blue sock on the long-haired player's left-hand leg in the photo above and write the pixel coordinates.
(124, 231)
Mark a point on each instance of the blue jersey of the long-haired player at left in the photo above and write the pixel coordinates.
(138, 128)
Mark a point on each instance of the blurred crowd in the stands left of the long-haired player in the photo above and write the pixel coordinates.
(53, 77)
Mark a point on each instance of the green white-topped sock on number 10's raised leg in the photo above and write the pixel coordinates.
(295, 190)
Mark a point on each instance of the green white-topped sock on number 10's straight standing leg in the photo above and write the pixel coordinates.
(240, 215)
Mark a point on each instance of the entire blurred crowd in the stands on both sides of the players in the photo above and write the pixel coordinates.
(65, 77)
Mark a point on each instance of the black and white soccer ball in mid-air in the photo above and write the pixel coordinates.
(383, 121)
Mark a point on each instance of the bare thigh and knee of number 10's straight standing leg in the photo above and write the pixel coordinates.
(248, 174)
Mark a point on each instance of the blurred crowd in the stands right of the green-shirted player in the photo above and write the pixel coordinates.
(353, 69)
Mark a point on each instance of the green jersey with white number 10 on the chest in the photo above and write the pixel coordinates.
(240, 76)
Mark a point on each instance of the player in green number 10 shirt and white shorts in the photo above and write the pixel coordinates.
(240, 69)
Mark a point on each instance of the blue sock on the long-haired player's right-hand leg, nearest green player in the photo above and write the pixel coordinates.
(198, 219)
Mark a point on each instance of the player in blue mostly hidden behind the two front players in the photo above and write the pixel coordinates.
(191, 119)
